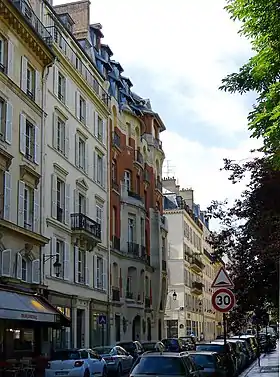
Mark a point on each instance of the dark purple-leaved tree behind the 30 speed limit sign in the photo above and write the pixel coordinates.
(250, 234)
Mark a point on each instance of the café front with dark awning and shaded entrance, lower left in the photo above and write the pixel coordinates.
(25, 320)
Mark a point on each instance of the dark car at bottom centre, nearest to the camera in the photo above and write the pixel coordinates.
(164, 364)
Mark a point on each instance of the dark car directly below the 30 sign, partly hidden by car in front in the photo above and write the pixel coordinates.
(225, 351)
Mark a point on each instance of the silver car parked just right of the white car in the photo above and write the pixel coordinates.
(117, 359)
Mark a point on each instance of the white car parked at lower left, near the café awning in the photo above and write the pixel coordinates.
(76, 363)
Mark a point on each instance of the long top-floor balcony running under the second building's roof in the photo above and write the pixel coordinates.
(66, 50)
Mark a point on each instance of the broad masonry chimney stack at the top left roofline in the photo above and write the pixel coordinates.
(79, 11)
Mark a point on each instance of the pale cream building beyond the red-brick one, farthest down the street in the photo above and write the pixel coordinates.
(191, 270)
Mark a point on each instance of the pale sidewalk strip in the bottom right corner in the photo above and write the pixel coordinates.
(269, 366)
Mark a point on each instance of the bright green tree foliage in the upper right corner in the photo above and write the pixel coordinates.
(260, 20)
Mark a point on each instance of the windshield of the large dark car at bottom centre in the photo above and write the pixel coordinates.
(165, 366)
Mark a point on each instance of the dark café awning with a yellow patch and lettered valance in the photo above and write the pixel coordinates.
(19, 306)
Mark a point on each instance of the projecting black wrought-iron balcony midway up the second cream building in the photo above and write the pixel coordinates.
(86, 232)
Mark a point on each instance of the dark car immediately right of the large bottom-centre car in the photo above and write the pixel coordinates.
(209, 363)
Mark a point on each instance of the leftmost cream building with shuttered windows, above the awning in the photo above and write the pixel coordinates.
(24, 57)
